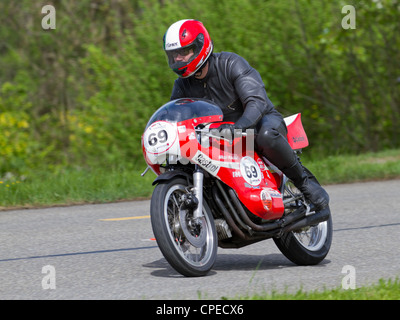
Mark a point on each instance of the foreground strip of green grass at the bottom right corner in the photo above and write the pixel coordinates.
(383, 290)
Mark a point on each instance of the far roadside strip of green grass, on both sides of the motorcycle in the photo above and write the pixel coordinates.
(100, 185)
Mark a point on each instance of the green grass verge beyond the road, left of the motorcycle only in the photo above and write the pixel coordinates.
(72, 186)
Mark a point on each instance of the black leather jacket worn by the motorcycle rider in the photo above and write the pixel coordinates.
(234, 86)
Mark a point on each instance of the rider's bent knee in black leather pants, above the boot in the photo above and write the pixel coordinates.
(271, 141)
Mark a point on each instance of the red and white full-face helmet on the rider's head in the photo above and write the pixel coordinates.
(182, 37)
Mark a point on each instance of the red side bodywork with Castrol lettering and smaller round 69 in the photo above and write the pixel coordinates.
(241, 168)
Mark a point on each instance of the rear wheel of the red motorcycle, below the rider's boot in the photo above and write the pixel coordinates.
(308, 246)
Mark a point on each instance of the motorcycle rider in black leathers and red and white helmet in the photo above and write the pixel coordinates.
(237, 88)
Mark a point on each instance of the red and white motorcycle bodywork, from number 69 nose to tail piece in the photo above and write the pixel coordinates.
(234, 163)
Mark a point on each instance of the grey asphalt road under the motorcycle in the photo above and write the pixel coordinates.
(77, 253)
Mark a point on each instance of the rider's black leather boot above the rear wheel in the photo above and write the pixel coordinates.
(308, 185)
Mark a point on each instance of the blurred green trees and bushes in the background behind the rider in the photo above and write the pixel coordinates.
(80, 95)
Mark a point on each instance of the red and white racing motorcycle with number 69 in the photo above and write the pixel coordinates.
(213, 191)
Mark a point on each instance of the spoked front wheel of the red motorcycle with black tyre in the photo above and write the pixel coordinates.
(189, 246)
